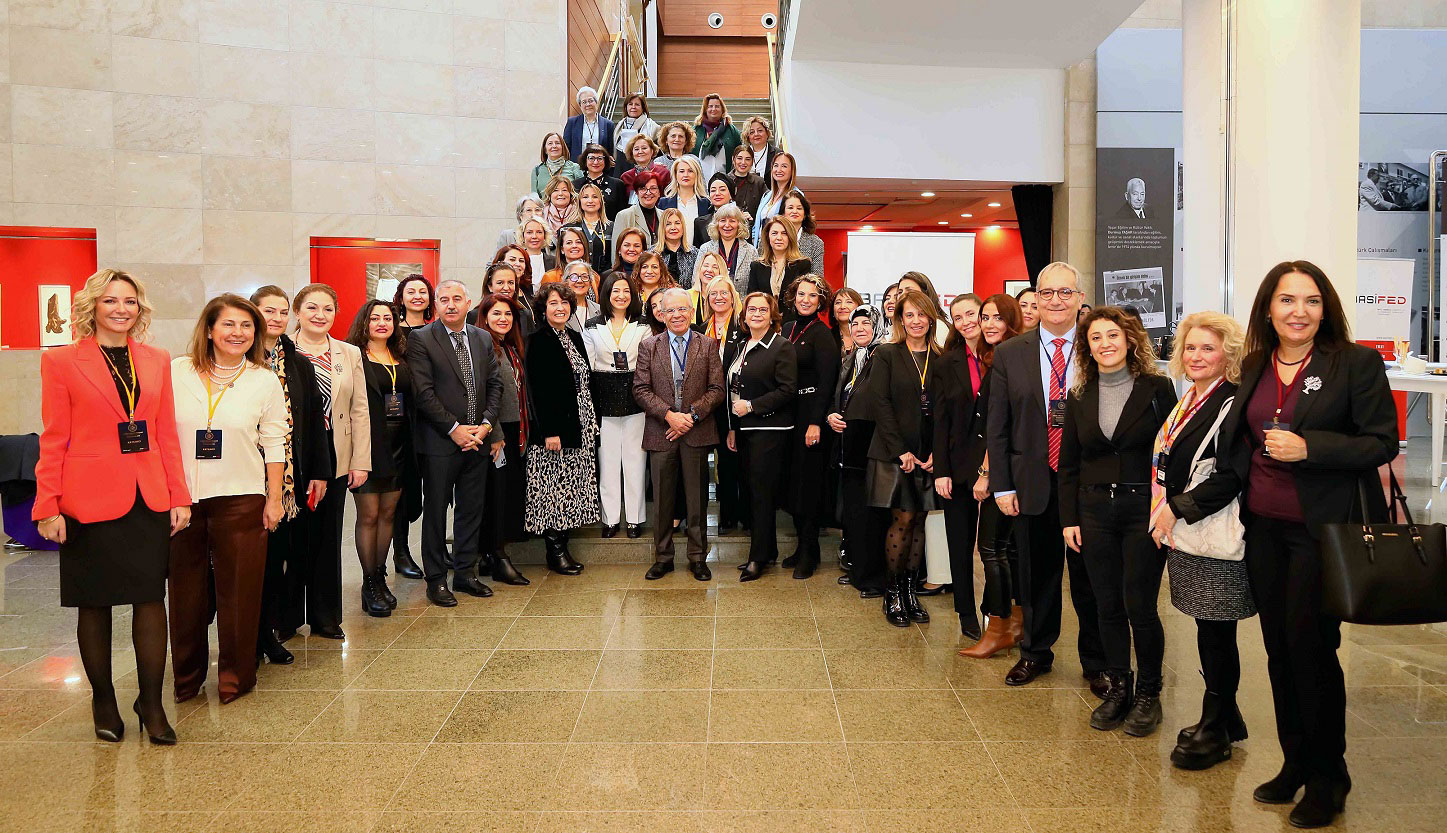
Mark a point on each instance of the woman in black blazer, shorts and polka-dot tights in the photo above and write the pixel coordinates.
(902, 455)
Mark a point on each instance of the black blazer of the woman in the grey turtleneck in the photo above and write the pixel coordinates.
(1089, 458)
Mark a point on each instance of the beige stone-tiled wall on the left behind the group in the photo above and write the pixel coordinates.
(208, 141)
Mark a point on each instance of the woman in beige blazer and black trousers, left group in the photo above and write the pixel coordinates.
(315, 591)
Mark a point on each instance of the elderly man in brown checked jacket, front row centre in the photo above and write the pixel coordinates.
(679, 383)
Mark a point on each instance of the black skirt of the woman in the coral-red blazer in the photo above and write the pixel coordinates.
(121, 562)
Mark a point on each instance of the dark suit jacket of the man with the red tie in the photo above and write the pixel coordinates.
(1015, 427)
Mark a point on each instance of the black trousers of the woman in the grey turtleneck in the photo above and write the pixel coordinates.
(1125, 572)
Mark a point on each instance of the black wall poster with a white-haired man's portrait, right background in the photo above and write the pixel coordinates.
(1135, 232)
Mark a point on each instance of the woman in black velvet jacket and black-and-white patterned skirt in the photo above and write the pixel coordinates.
(562, 464)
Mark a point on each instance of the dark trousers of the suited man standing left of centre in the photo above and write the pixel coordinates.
(459, 479)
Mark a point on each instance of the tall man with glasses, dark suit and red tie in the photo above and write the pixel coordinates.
(1024, 432)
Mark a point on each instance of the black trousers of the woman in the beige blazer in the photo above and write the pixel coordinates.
(315, 569)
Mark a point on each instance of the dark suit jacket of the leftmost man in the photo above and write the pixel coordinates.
(439, 388)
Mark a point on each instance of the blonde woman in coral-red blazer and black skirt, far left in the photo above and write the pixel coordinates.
(111, 490)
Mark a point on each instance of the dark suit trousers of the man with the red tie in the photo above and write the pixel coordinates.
(1044, 560)
